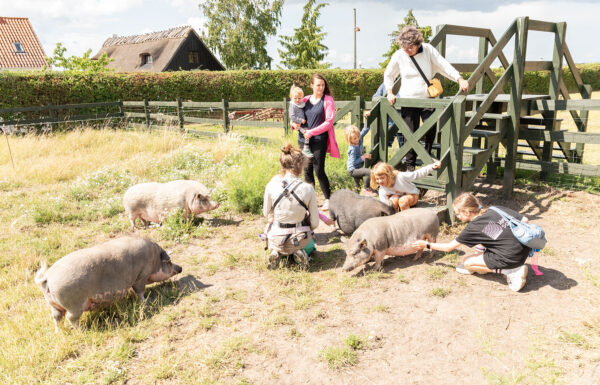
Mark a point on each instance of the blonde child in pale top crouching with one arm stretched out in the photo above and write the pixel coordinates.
(396, 187)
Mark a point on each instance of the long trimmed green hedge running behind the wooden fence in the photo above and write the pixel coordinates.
(40, 88)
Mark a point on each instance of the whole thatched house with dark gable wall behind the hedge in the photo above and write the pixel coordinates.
(172, 50)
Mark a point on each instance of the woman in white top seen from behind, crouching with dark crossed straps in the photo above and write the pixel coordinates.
(290, 206)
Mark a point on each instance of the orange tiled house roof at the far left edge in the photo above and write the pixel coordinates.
(19, 30)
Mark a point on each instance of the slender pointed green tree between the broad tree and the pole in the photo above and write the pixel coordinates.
(305, 48)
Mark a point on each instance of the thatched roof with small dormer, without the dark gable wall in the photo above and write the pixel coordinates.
(162, 46)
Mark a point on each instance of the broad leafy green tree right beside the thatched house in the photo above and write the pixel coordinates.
(238, 29)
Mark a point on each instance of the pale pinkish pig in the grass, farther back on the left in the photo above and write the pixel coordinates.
(150, 202)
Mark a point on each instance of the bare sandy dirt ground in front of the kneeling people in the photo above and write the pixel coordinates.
(422, 323)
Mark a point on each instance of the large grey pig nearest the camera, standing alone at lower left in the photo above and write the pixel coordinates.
(81, 280)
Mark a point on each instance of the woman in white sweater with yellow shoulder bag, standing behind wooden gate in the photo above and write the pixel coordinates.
(412, 83)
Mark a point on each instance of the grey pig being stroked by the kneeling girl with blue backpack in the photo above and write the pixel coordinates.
(391, 235)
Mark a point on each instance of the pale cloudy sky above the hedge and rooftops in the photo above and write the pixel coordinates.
(83, 24)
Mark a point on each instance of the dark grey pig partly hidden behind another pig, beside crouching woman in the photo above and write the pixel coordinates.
(349, 210)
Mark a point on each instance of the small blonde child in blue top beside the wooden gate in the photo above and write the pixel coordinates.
(356, 158)
